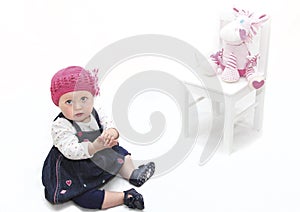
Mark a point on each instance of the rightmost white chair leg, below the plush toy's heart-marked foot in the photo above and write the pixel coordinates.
(259, 110)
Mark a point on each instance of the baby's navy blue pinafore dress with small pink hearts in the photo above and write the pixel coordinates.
(65, 179)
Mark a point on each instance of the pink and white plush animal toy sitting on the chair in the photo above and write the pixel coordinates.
(234, 60)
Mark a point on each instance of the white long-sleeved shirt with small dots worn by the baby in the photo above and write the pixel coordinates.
(65, 139)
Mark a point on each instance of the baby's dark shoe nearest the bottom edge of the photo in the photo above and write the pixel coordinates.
(133, 199)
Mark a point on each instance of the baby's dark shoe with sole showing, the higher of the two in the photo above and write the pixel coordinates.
(142, 174)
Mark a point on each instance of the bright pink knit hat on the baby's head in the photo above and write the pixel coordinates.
(73, 78)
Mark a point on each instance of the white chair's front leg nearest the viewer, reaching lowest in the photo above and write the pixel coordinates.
(228, 125)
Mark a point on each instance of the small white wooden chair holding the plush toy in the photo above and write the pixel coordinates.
(226, 100)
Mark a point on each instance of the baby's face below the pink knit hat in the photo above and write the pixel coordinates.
(77, 105)
